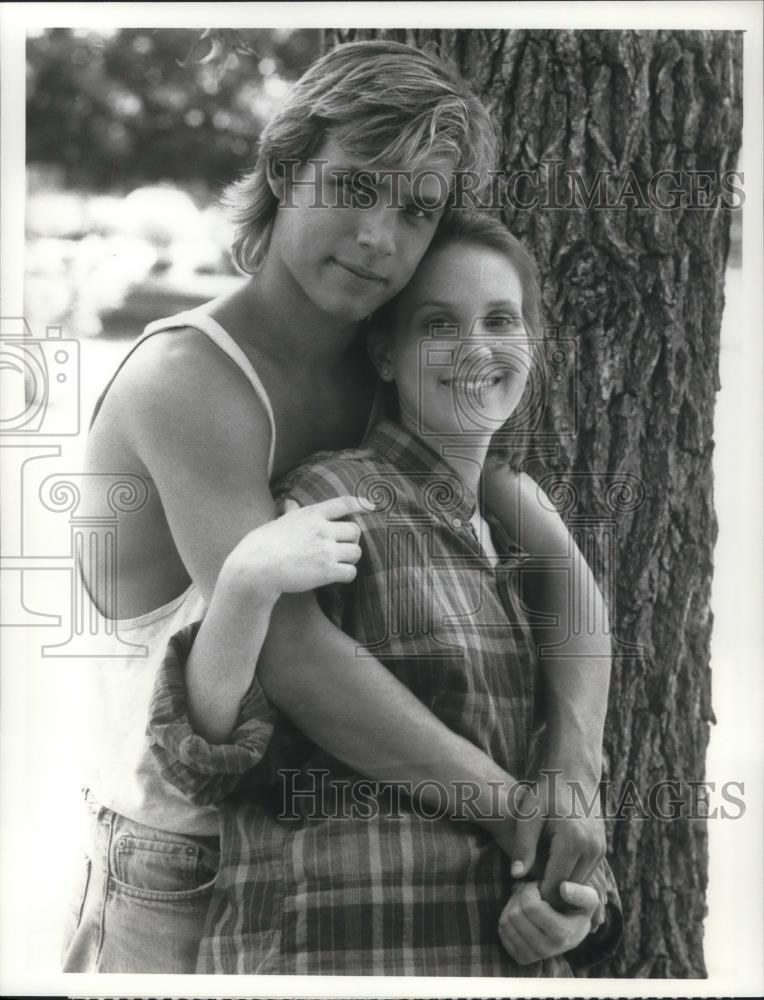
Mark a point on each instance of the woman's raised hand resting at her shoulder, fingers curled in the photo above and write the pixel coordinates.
(305, 548)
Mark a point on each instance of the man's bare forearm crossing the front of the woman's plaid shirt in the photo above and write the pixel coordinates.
(350, 707)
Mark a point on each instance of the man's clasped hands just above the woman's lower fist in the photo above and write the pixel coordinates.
(566, 819)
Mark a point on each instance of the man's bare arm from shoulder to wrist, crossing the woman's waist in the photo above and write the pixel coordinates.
(203, 437)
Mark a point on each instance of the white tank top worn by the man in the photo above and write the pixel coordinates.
(121, 770)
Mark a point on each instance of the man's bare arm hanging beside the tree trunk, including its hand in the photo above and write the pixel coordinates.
(576, 676)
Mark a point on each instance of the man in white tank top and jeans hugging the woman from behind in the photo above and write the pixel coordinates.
(213, 406)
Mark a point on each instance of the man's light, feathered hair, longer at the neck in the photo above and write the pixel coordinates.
(384, 101)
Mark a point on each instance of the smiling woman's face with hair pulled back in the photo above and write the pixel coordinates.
(460, 355)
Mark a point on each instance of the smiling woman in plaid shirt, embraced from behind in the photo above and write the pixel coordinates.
(323, 871)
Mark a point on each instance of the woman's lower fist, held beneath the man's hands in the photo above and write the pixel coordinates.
(530, 929)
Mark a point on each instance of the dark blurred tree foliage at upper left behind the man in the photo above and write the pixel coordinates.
(112, 110)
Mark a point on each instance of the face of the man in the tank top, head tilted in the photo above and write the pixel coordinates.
(349, 257)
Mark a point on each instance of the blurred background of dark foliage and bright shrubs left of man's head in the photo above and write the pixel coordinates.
(131, 136)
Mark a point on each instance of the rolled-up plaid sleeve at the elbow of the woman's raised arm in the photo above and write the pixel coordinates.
(205, 772)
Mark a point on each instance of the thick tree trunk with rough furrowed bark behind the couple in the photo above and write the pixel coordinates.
(639, 290)
